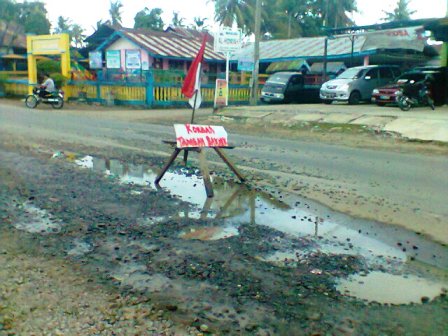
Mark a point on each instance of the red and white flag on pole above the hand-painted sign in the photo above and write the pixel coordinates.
(192, 83)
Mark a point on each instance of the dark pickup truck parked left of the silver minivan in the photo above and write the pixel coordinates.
(286, 87)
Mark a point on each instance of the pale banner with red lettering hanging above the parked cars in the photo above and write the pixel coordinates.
(400, 38)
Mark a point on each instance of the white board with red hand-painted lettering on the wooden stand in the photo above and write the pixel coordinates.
(188, 135)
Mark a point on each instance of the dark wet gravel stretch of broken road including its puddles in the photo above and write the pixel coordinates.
(248, 261)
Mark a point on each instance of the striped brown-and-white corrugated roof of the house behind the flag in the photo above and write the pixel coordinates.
(169, 45)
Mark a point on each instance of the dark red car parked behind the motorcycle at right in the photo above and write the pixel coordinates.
(387, 94)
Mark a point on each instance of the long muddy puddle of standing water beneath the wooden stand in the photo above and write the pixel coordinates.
(397, 259)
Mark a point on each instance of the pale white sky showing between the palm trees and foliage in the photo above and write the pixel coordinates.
(88, 12)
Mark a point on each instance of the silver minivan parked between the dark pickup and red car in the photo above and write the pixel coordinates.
(356, 84)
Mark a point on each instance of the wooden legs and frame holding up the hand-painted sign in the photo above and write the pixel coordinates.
(202, 163)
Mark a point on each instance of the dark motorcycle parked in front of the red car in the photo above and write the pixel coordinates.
(415, 94)
